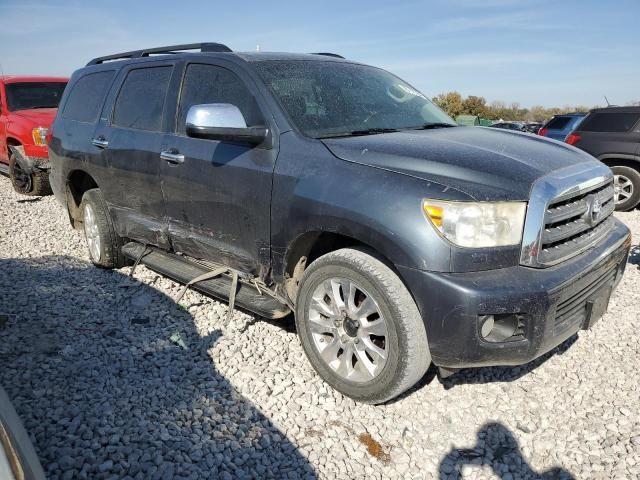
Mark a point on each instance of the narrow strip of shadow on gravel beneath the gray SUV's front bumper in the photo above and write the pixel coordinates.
(503, 374)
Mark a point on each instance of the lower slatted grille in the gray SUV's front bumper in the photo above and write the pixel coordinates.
(572, 309)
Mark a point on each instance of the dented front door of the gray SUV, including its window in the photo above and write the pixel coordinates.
(218, 194)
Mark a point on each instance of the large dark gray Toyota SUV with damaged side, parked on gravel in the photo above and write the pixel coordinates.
(314, 185)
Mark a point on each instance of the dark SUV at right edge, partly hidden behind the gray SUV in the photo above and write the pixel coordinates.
(612, 135)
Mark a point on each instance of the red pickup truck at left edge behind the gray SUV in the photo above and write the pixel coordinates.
(27, 108)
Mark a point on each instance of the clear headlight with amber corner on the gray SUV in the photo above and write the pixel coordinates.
(477, 224)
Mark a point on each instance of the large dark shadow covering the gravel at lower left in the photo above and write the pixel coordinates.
(93, 362)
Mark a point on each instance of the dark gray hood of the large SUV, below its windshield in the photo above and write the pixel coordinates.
(484, 163)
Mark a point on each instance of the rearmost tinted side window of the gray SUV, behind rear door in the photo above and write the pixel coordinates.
(86, 97)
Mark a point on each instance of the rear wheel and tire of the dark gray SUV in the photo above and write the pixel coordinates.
(103, 242)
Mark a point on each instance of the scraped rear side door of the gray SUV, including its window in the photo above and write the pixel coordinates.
(130, 135)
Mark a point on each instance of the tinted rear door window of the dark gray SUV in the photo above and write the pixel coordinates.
(140, 103)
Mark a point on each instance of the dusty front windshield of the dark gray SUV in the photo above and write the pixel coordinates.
(328, 99)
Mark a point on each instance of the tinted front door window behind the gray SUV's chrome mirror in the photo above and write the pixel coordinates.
(210, 84)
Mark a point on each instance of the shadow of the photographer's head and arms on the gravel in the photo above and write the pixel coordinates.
(498, 448)
